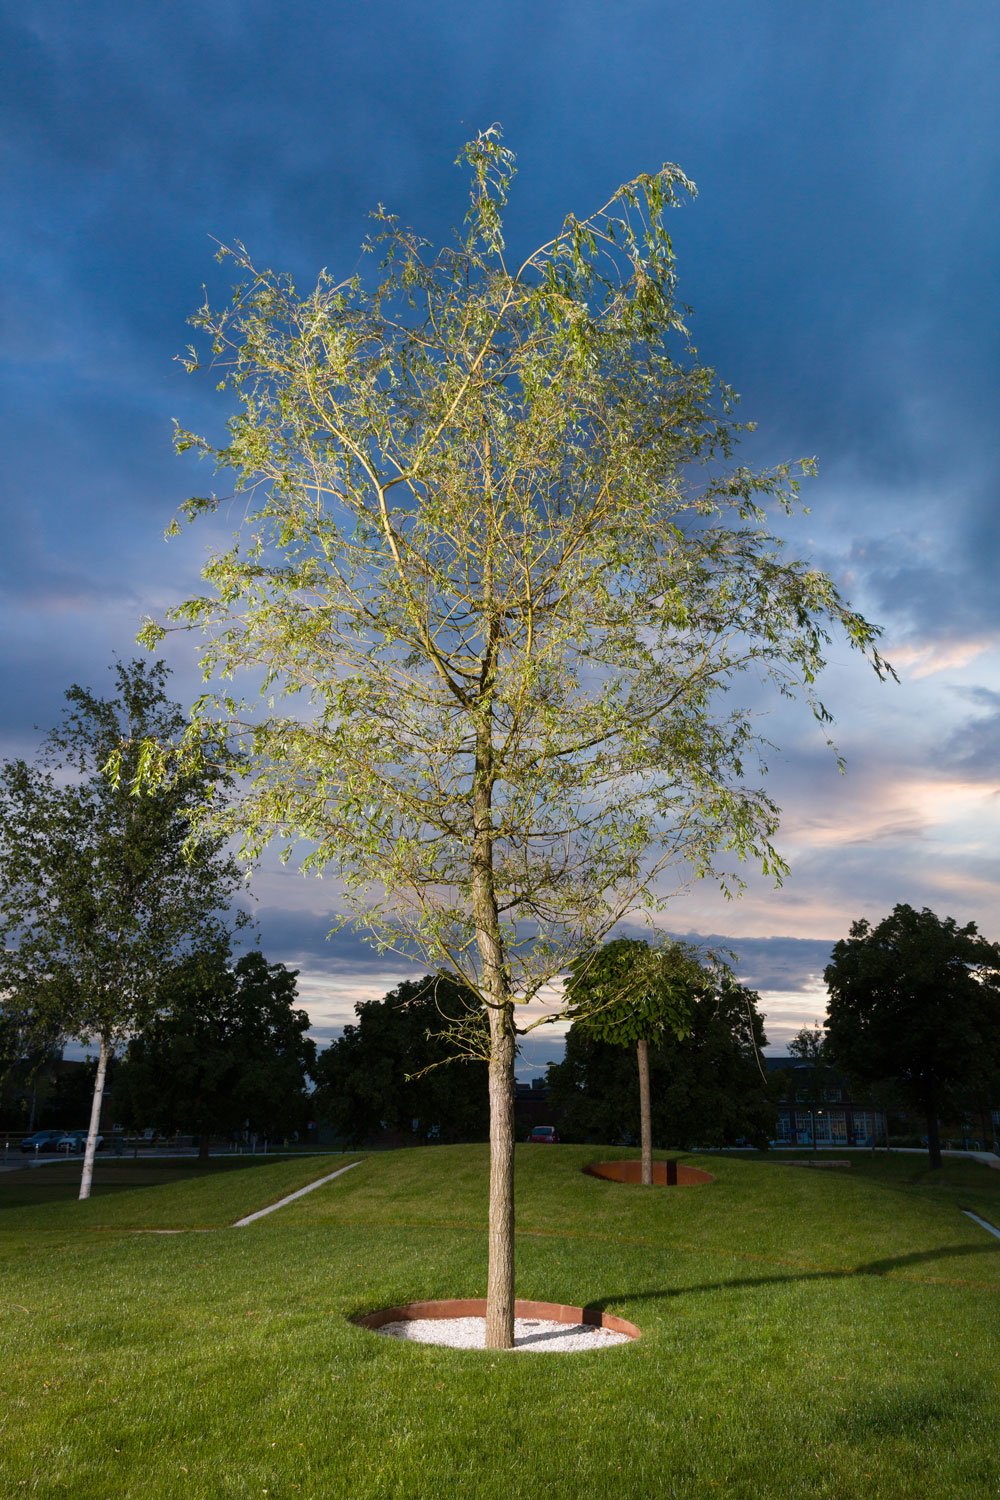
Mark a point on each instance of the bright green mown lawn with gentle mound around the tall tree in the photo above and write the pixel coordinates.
(806, 1334)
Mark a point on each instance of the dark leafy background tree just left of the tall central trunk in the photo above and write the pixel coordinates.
(398, 1066)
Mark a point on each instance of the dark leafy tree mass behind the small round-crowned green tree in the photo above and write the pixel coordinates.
(707, 1088)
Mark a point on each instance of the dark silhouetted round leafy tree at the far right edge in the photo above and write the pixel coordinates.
(917, 1000)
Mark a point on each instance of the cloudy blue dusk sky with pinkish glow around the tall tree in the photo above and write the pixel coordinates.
(842, 262)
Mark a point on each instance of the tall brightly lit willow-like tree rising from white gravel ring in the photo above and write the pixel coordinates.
(497, 571)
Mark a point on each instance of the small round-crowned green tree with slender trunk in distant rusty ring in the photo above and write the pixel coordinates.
(633, 995)
